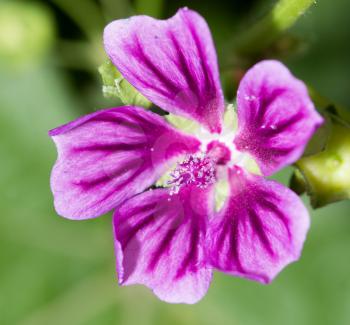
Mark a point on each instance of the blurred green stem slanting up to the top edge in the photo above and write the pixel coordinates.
(262, 34)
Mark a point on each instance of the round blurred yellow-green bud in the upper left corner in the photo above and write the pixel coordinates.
(26, 33)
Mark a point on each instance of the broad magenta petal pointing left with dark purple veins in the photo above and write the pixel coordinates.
(108, 156)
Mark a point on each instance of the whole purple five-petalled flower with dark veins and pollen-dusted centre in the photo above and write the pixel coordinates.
(170, 239)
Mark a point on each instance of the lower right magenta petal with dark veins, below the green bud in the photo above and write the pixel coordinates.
(260, 229)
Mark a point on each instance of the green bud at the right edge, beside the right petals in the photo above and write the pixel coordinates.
(327, 173)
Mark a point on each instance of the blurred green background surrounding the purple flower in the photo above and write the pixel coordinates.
(56, 271)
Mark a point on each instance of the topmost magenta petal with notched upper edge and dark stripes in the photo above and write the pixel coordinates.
(172, 62)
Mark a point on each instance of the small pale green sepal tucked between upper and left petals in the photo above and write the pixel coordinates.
(116, 86)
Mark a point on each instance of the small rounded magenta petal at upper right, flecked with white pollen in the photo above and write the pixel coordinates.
(276, 117)
